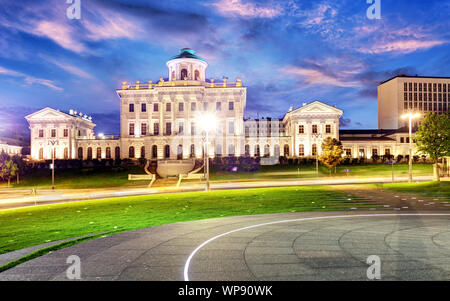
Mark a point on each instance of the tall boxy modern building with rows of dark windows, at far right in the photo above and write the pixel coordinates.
(403, 94)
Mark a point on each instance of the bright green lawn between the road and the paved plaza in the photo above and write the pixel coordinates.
(24, 227)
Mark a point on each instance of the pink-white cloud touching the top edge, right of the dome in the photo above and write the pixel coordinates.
(248, 9)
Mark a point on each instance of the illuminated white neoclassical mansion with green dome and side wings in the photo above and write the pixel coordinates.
(160, 121)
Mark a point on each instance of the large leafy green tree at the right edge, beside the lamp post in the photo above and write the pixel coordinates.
(433, 137)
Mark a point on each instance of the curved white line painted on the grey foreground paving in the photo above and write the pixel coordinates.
(188, 261)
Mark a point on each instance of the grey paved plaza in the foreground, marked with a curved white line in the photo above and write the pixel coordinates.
(288, 246)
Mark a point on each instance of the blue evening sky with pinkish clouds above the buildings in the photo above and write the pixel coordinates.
(286, 52)
